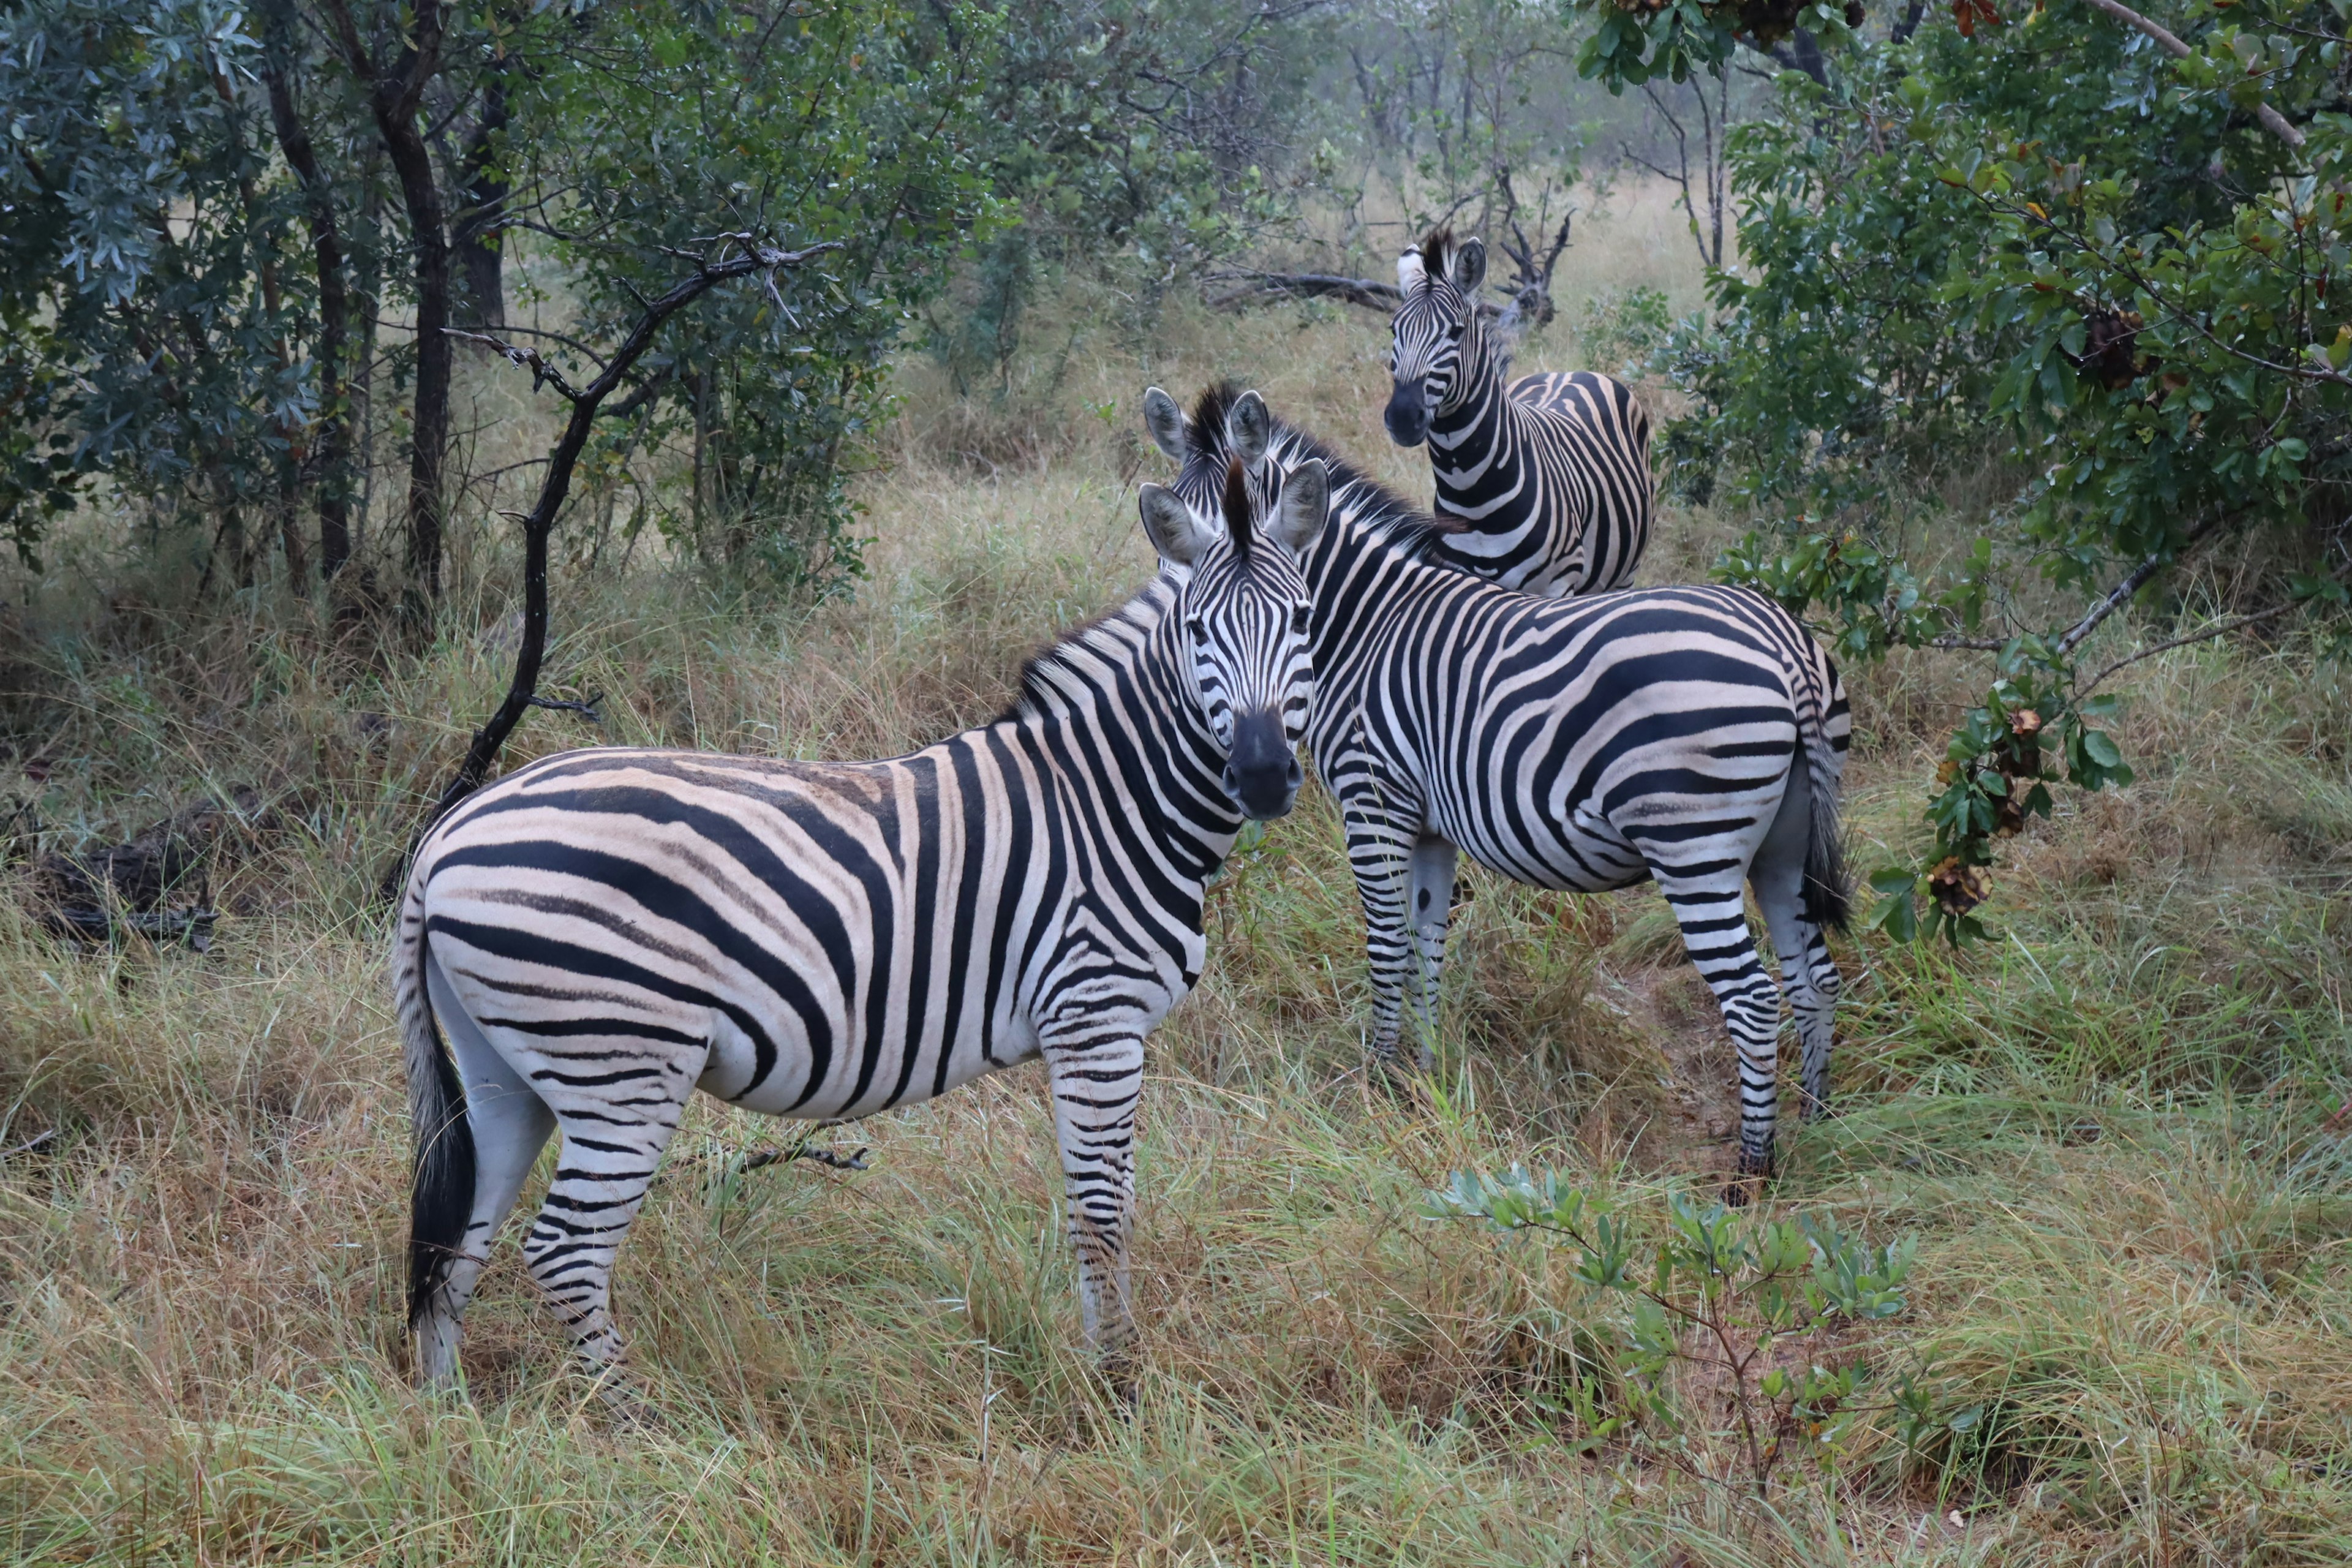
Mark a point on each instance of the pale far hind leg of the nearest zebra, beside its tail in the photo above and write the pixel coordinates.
(509, 1127)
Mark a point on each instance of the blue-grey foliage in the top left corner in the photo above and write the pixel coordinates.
(147, 307)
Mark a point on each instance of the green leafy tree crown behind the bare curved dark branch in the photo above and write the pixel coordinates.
(834, 123)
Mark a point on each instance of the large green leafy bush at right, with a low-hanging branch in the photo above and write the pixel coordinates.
(2054, 250)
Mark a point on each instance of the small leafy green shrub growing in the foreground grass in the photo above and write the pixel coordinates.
(1720, 1313)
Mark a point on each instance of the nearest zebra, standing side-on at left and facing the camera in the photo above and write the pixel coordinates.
(608, 930)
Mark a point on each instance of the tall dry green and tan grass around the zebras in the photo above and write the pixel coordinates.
(2118, 1132)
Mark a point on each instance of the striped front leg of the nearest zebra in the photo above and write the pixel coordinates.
(1097, 1085)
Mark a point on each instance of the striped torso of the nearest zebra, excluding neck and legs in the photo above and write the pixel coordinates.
(799, 939)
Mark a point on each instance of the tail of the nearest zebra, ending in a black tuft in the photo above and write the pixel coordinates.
(441, 1184)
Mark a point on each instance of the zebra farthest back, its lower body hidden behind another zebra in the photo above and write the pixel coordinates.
(1549, 478)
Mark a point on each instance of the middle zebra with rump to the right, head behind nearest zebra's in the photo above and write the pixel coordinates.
(1692, 737)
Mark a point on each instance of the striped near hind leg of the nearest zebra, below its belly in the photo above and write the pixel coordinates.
(615, 1132)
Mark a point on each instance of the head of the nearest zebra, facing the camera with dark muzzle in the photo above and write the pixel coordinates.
(1245, 617)
